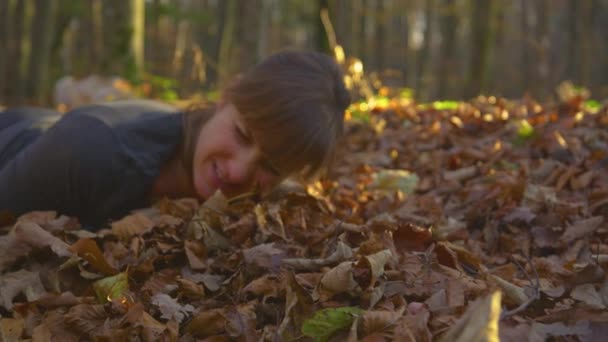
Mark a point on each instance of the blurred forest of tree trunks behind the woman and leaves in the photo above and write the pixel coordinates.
(170, 49)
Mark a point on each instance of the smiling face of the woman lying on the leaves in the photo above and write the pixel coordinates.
(227, 157)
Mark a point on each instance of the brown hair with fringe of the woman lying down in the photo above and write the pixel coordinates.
(293, 103)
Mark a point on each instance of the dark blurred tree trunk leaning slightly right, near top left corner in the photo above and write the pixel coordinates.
(40, 49)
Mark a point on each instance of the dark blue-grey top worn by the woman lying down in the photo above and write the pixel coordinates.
(95, 162)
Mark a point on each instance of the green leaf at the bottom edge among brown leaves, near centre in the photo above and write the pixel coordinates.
(327, 322)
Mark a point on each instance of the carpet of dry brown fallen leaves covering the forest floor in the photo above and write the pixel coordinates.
(480, 221)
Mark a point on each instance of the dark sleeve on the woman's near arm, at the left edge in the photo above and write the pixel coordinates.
(72, 169)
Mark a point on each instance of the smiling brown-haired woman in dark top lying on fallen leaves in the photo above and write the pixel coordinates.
(98, 162)
